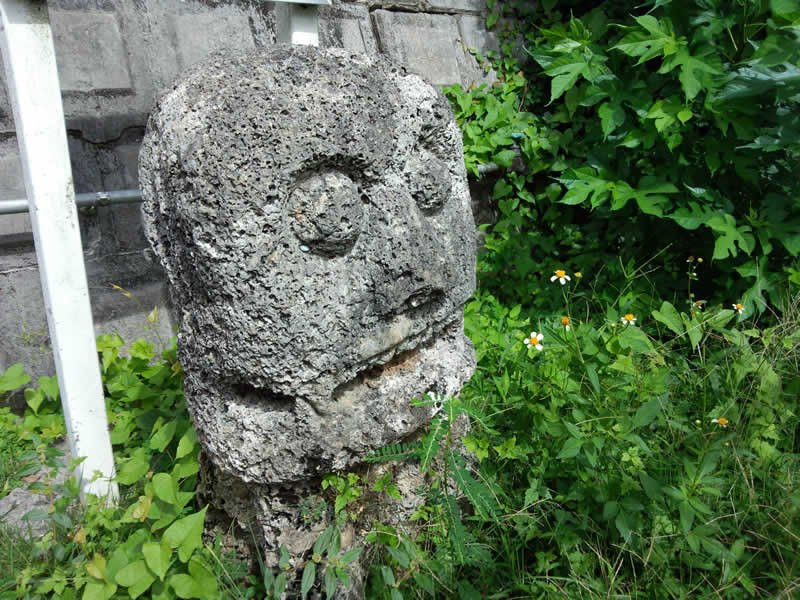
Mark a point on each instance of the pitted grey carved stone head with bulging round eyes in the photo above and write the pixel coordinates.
(311, 210)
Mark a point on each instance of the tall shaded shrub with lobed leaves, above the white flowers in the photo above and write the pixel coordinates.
(647, 133)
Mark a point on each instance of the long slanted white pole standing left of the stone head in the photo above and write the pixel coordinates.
(32, 80)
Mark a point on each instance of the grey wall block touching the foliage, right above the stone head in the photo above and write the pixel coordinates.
(429, 45)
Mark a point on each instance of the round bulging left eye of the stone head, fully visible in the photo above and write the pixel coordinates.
(328, 213)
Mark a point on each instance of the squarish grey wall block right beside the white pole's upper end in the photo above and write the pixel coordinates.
(90, 53)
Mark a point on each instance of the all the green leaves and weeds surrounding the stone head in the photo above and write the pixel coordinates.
(651, 148)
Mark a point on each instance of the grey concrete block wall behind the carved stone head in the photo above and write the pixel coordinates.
(114, 57)
